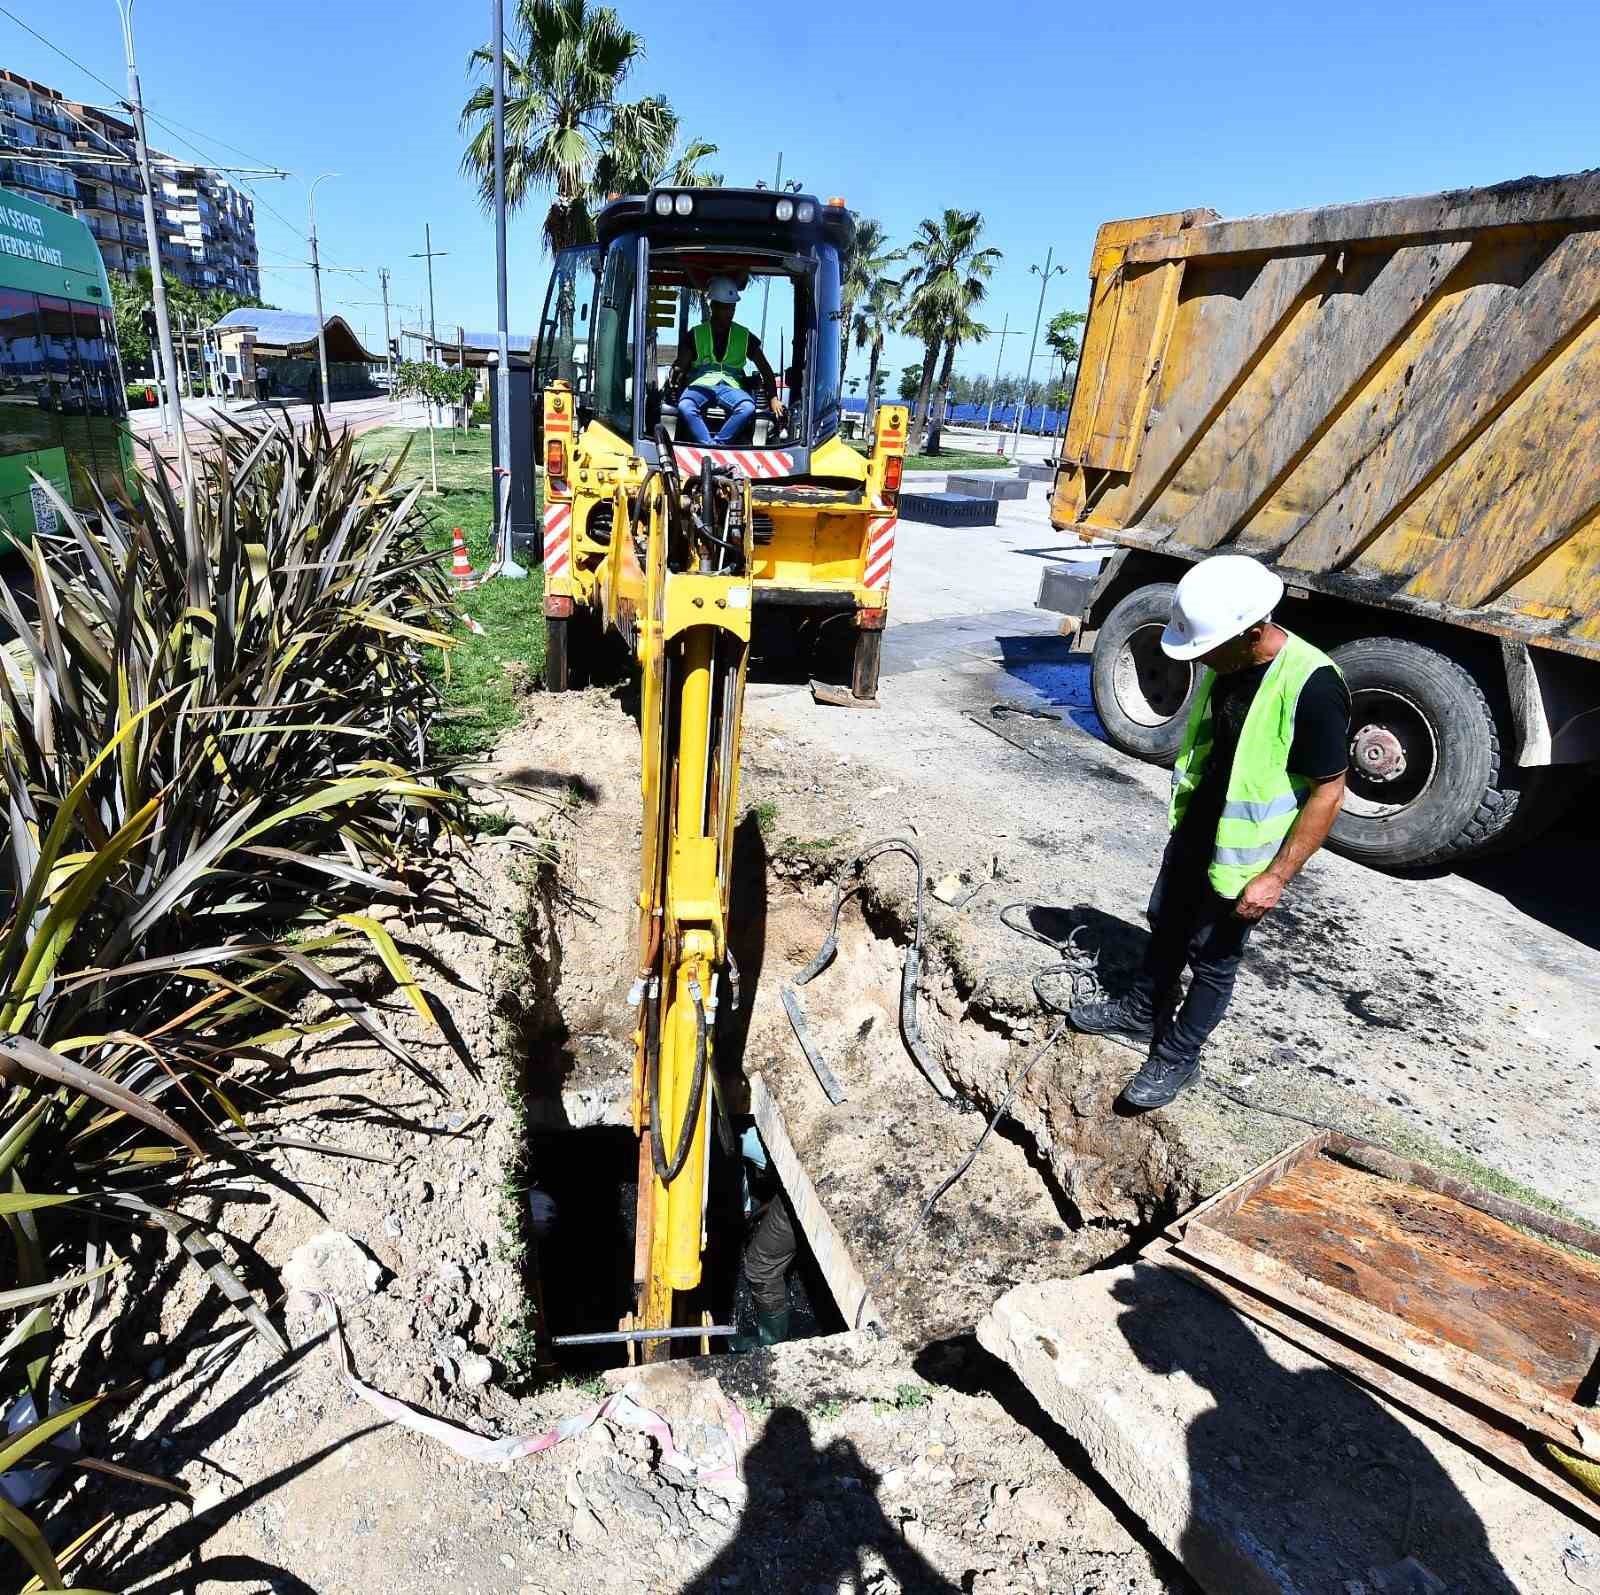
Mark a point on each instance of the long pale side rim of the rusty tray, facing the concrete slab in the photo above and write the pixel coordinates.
(1476, 1380)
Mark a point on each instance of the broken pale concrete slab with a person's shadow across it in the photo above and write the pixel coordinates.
(1260, 1468)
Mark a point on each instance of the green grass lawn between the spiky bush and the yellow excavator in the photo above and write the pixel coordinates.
(479, 698)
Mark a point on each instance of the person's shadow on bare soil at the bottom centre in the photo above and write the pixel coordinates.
(814, 1519)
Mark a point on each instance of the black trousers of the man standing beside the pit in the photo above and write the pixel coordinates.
(1191, 927)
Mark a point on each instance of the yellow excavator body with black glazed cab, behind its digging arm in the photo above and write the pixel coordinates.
(617, 316)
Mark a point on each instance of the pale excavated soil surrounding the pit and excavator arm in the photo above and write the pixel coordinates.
(900, 1463)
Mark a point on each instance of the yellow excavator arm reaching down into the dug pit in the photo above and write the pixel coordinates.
(694, 543)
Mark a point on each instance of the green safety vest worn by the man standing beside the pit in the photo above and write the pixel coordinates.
(1263, 799)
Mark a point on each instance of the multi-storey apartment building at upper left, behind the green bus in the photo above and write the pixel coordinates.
(207, 225)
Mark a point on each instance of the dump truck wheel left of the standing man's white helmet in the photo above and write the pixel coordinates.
(1142, 695)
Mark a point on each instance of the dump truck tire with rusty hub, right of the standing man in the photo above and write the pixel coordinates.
(1428, 780)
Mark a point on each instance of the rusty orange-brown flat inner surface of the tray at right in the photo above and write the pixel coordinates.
(1434, 1265)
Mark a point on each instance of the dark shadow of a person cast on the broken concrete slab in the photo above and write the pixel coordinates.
(1305, 1466)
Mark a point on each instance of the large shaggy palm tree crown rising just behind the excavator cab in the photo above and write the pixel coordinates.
(566, 126)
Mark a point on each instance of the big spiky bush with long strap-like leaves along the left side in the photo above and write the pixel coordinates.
(209, 730)
